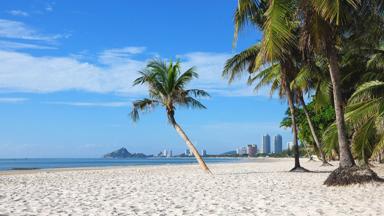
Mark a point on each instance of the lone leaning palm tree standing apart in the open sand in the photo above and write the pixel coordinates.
(166, 85)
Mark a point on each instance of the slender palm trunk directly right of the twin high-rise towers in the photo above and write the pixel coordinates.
(289, 95)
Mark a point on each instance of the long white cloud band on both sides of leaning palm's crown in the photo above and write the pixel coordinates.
(21, 72)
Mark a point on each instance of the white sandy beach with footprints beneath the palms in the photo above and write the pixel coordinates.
(262, 187)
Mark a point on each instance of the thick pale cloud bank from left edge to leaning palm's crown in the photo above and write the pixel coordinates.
(27, 73)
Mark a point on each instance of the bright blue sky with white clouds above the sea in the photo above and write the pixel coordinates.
(67, 69)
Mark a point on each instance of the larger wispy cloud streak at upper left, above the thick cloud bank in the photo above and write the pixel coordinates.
(18, 30)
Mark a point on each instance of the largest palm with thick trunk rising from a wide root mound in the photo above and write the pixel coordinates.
(325, 23)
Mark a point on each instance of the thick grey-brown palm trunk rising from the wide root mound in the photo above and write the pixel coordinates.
(346, 159)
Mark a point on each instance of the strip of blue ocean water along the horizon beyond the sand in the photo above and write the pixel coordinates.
(44, 163)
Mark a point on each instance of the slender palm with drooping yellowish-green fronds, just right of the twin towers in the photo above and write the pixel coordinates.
(265, 15)
